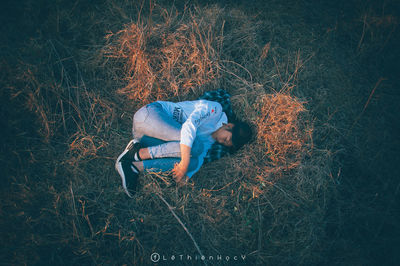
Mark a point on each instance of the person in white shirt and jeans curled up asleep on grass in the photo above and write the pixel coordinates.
(177, 136)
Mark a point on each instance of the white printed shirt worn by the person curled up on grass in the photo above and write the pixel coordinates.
(199, 120)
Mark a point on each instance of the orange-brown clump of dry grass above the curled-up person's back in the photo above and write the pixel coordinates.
(170, 58)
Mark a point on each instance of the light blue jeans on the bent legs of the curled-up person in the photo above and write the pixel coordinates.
(160, 133)
